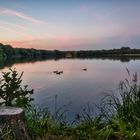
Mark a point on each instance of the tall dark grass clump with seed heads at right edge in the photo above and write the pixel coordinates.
(127, 105)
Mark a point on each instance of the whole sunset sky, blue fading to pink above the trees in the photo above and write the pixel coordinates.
(70, 24)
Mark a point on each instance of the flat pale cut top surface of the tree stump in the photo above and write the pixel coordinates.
(10, 111)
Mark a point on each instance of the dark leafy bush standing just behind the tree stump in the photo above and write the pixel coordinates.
(11, 91)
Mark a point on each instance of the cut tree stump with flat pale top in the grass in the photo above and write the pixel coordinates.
(13, 118)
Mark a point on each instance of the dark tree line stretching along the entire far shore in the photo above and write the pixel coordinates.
(8, 52)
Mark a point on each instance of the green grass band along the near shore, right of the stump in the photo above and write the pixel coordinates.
(119, 118)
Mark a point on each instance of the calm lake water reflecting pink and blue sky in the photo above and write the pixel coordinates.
(75, 86)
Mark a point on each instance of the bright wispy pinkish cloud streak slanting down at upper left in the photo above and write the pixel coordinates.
(10, 12)
